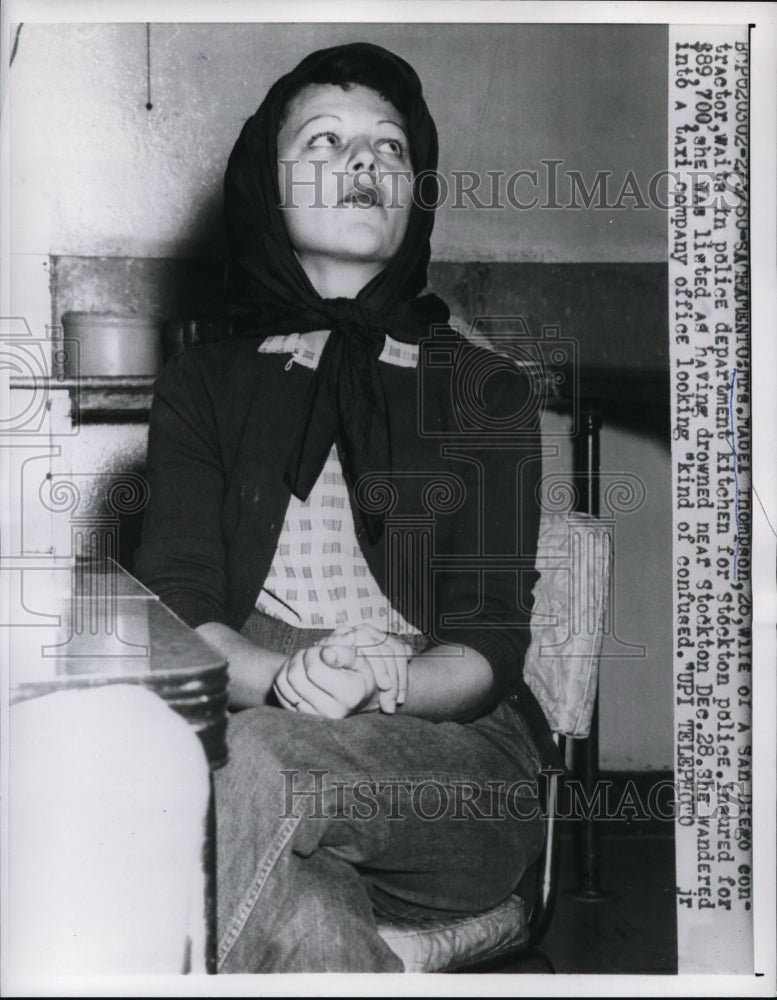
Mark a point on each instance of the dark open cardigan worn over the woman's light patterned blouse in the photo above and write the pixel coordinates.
(223, 422)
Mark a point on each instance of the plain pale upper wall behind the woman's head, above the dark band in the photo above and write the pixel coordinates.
(105, 176)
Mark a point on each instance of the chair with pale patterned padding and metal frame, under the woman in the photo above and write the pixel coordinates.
(561, 668)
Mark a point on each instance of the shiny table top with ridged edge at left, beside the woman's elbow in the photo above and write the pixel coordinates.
(84, 625)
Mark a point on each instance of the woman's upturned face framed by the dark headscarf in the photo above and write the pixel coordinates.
(346, 185)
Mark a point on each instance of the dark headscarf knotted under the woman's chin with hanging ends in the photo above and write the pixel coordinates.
(269, 292)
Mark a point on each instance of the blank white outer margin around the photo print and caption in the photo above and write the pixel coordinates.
(764, 412)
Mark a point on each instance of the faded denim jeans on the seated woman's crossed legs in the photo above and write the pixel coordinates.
(324, 823)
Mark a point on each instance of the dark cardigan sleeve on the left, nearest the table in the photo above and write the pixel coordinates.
(182, 556)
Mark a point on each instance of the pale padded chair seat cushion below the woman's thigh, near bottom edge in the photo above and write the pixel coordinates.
(434, 944)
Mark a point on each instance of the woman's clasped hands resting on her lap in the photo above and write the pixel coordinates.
(355, 669)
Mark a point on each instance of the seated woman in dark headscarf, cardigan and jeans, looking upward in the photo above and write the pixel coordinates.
(343, 502)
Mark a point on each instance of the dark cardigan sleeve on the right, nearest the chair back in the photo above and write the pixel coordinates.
(486, 603)
